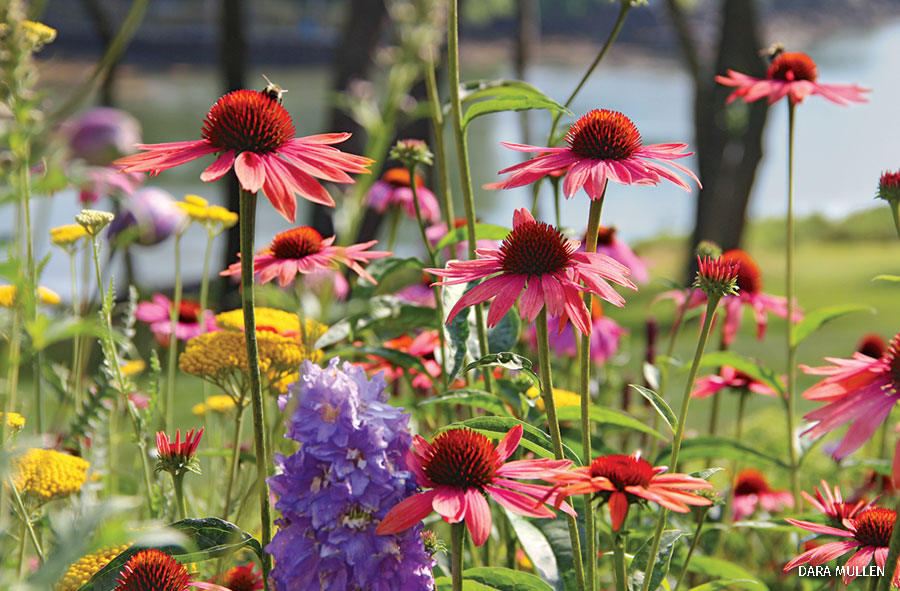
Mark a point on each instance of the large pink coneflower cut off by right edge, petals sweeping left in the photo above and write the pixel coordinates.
(861, 390)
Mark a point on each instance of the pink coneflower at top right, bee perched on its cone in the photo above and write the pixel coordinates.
(792, 75)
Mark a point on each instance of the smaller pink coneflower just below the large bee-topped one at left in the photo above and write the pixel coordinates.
(303, 251)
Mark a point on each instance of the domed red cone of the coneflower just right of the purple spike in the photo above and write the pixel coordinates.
(461, 458)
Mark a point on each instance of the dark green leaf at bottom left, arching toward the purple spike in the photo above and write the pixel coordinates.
(207, 538)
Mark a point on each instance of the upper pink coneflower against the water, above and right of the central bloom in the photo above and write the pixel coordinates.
(603, 146)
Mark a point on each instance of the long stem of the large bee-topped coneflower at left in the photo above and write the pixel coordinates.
(248, 226)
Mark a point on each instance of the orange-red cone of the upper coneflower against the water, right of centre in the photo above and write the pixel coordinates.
(604, 135)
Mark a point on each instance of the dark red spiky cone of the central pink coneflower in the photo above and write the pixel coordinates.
(534, 248)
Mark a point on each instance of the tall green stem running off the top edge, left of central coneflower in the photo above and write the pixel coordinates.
(465, 175)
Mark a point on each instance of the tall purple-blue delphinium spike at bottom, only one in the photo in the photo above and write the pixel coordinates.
(332, 493)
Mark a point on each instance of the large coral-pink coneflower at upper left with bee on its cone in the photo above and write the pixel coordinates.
(252, 132)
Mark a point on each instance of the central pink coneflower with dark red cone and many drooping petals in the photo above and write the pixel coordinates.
(536, 261)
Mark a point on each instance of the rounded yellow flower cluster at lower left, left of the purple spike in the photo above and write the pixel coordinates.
(47, 474)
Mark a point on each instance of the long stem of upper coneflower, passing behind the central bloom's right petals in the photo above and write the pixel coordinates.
(590, 245)
